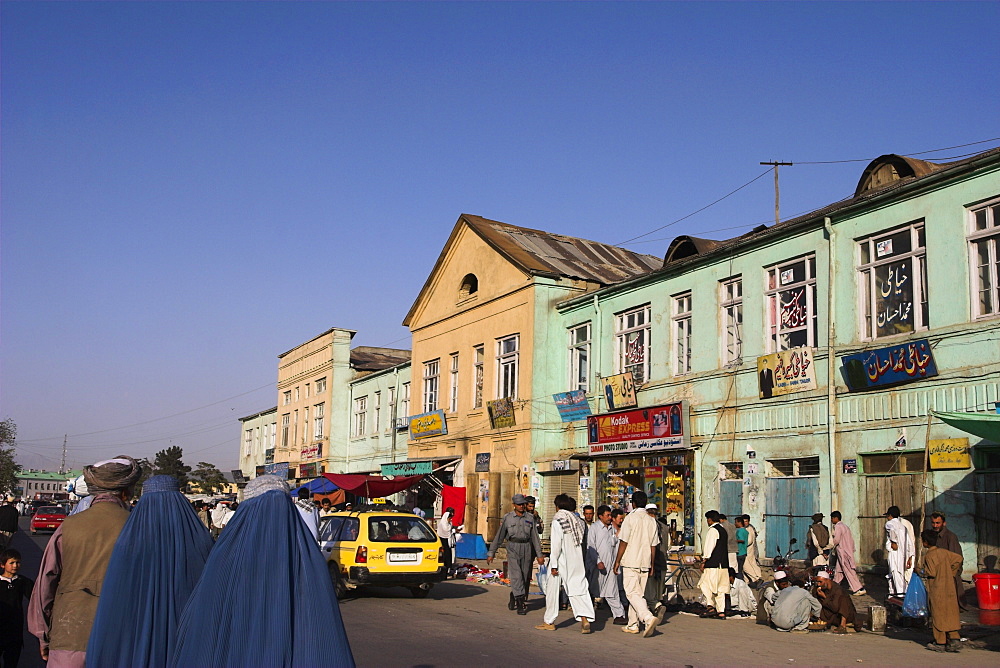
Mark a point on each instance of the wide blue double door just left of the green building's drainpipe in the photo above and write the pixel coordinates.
(791, 503)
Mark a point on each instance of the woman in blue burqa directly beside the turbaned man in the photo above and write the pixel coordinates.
(156, 562)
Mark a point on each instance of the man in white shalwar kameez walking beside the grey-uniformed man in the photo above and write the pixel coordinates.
(566, 567)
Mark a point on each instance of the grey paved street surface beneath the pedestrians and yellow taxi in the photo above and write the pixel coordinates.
(468, 624)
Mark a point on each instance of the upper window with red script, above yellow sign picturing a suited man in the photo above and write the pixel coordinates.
(791, 304)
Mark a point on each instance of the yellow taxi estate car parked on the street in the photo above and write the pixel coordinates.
(383, 547)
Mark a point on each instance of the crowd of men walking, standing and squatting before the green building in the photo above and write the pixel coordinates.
(621, 560)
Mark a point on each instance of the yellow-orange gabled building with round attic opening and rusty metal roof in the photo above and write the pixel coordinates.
(476, 324)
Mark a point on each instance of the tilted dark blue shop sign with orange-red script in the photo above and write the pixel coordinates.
(903, 363)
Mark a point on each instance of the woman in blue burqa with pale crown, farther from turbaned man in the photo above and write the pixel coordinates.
(265, 599)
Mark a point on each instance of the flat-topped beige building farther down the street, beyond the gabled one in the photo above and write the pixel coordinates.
(314, 401)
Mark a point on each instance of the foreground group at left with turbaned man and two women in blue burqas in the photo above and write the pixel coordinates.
(122, 585)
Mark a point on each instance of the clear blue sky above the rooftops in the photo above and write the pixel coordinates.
(190, 189)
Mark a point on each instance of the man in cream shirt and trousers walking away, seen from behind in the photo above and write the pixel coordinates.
(637, 543)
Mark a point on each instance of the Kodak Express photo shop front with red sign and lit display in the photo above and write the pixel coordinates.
(646, 449)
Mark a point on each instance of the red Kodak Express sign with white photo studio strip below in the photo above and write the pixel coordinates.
(646, 429)
